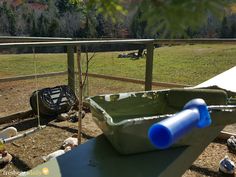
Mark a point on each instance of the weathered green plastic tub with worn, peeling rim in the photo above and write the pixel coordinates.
(126, 117)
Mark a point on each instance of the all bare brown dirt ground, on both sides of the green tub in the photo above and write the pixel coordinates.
(28, 151)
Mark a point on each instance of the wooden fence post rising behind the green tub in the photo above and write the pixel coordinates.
(149, 66)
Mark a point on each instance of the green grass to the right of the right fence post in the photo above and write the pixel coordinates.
(192, 64)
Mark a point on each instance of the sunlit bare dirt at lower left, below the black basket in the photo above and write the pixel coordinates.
(28, 151)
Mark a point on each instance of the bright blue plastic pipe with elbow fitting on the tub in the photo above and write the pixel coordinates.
(195, 114)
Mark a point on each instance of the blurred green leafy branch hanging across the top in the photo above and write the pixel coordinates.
(167, 18)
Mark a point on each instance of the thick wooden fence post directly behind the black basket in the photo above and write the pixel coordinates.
(71, 69)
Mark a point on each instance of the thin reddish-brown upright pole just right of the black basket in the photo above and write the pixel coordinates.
(78, 49)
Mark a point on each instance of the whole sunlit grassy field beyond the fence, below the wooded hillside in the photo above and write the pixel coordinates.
(188, 64)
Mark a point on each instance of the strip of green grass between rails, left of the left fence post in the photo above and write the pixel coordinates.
(24, 64)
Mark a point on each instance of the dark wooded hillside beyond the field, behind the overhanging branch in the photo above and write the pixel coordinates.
(59, 18)
